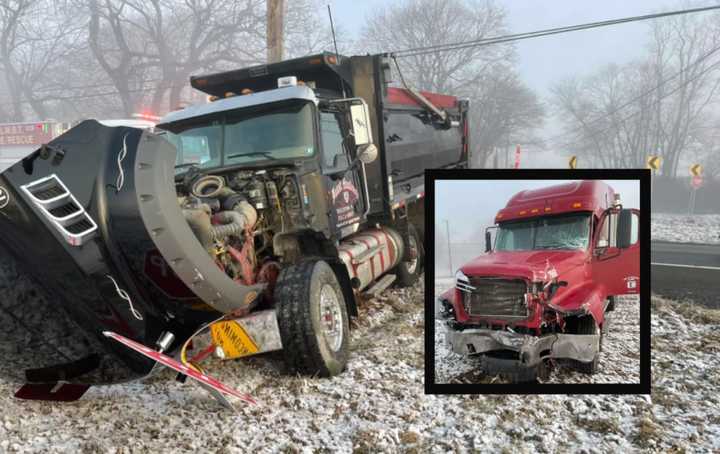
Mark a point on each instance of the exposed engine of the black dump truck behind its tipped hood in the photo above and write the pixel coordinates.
(235, 217)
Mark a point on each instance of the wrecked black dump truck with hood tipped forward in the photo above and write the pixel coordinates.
(258, 216)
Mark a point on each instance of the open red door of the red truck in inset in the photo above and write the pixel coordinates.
(617, 269)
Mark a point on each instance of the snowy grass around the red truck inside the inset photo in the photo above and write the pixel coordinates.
(619, 361)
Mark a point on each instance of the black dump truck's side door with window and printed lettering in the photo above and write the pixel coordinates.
(345, 190)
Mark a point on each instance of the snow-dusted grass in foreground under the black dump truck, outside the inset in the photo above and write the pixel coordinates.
(379, 405)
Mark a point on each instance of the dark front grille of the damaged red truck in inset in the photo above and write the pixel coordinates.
(495, 297)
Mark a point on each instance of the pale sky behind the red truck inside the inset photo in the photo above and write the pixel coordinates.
(471, 205)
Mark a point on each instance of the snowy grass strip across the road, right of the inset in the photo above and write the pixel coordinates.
(700, 228)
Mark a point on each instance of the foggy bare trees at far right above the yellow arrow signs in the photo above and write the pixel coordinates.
(657, 105)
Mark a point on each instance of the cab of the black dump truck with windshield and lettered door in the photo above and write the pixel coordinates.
(325, 142)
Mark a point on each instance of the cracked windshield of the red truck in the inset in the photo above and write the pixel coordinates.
(557, 232)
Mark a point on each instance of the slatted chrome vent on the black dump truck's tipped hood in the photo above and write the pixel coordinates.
(62, 209)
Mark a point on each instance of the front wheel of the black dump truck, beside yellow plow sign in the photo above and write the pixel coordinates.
(313, 319)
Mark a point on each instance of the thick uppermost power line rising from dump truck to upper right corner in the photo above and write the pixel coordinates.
(411, 52)
